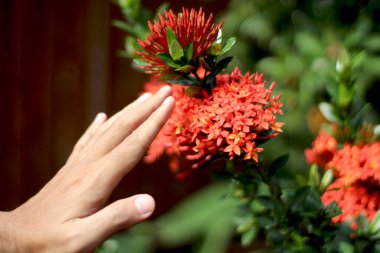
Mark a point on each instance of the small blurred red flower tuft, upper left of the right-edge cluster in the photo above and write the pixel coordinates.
(323, 150)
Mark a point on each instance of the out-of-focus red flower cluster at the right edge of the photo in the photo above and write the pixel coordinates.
(357, 168)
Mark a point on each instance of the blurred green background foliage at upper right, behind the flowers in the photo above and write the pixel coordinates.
(297, 44)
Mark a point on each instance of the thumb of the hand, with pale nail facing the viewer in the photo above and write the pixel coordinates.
(117, 216)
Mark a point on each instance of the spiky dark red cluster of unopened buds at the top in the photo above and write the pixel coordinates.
(189, 27)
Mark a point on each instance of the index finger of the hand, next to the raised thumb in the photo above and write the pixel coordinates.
(125, 156)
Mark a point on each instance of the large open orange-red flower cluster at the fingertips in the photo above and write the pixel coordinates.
(239, 112)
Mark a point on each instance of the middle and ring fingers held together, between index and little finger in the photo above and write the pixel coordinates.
(123, 124)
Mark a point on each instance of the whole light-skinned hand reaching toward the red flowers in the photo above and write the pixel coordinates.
(69, 213)
